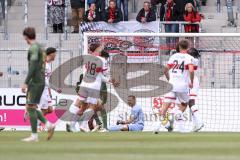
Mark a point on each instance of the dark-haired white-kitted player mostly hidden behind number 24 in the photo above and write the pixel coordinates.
(197, 122)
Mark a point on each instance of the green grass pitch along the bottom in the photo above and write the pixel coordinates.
(121, 146)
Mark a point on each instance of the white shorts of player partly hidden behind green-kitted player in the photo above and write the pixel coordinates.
(45, 100)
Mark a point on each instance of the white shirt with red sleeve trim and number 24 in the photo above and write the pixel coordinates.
(179, 72)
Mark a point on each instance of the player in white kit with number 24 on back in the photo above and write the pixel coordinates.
(178, 71)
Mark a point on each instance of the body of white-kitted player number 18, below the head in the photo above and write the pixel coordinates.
(89, 92)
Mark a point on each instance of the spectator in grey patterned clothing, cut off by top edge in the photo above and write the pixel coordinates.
(56, 15)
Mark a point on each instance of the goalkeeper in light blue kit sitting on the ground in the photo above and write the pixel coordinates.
(135, 121)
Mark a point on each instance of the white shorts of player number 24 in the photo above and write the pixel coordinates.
(171, 97)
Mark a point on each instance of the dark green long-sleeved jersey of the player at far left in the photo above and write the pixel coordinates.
(36, 65)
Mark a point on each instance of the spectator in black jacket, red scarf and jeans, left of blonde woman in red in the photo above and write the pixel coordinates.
(170, 12)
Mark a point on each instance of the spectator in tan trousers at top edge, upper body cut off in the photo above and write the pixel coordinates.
(78, 9)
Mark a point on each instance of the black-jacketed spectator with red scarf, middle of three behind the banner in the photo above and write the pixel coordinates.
(112, 13)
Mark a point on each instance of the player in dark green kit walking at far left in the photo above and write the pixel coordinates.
(34, 85)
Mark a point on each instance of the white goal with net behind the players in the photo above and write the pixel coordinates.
(137, 61)
